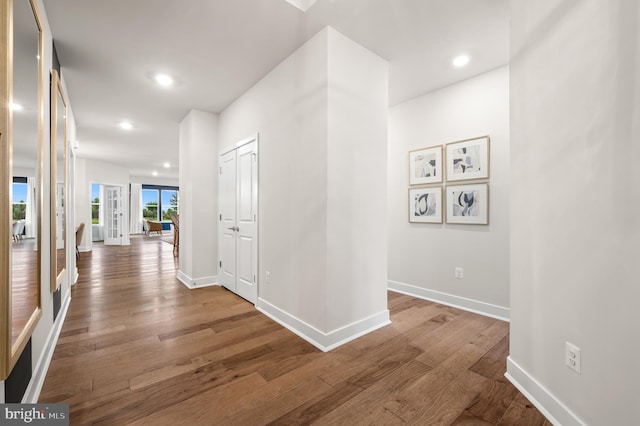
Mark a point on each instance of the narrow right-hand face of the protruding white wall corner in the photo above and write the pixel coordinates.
(356, 180)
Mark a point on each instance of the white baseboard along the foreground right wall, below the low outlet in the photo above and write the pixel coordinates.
(554, 410)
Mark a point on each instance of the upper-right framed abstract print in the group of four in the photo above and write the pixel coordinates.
(468, 159)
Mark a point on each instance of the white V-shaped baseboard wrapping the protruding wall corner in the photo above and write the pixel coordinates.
(324, 341)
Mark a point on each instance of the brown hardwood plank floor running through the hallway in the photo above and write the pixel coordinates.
(140, 348)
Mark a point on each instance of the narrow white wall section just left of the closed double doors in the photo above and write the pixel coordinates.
(198, 199)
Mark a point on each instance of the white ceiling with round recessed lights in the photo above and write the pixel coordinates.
(217, 49)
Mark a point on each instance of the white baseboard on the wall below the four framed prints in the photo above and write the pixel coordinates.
(475, 306)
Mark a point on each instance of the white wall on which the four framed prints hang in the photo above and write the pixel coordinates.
(422, 257)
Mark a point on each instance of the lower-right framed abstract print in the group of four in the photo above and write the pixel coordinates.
(468, 204)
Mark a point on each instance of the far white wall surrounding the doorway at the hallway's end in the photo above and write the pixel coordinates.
(94, 171)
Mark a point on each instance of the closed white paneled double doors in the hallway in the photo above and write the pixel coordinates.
(238, 220)
